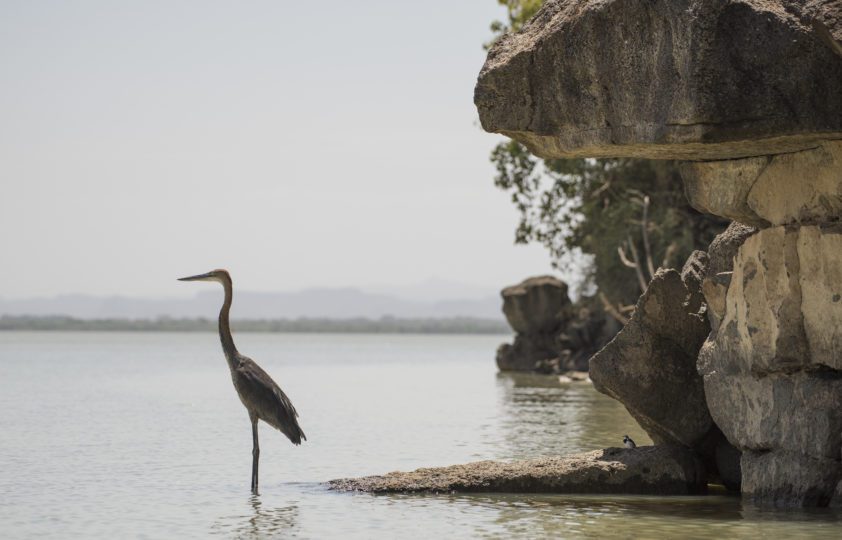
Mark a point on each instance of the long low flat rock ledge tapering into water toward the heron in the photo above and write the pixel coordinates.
(650, 470)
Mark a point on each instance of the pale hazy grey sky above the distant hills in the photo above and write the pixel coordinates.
(299, 144)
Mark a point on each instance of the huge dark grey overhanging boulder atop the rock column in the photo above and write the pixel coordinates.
(667, 79)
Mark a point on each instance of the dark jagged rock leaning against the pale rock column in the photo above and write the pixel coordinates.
(650, 367)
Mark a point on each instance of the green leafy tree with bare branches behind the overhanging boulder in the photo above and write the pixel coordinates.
(628, 216)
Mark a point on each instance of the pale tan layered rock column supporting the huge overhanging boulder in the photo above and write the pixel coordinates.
(772, 365)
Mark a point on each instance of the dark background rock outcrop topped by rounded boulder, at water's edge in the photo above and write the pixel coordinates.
(553, 335)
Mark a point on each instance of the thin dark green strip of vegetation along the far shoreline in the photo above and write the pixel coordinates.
(383, 325)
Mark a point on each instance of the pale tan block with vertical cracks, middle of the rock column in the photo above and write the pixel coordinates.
(783, 308)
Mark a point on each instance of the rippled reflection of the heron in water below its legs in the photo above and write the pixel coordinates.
(262, 522)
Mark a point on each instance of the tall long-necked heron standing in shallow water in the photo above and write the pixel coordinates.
(262, 397)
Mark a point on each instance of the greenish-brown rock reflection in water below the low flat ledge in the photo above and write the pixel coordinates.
(634, 516)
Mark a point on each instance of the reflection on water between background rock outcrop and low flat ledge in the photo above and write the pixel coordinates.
(541, 416)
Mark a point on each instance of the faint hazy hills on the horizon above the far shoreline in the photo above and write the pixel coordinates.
(336, 303)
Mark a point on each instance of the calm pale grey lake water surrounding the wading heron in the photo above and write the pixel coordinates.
(113, 435)
